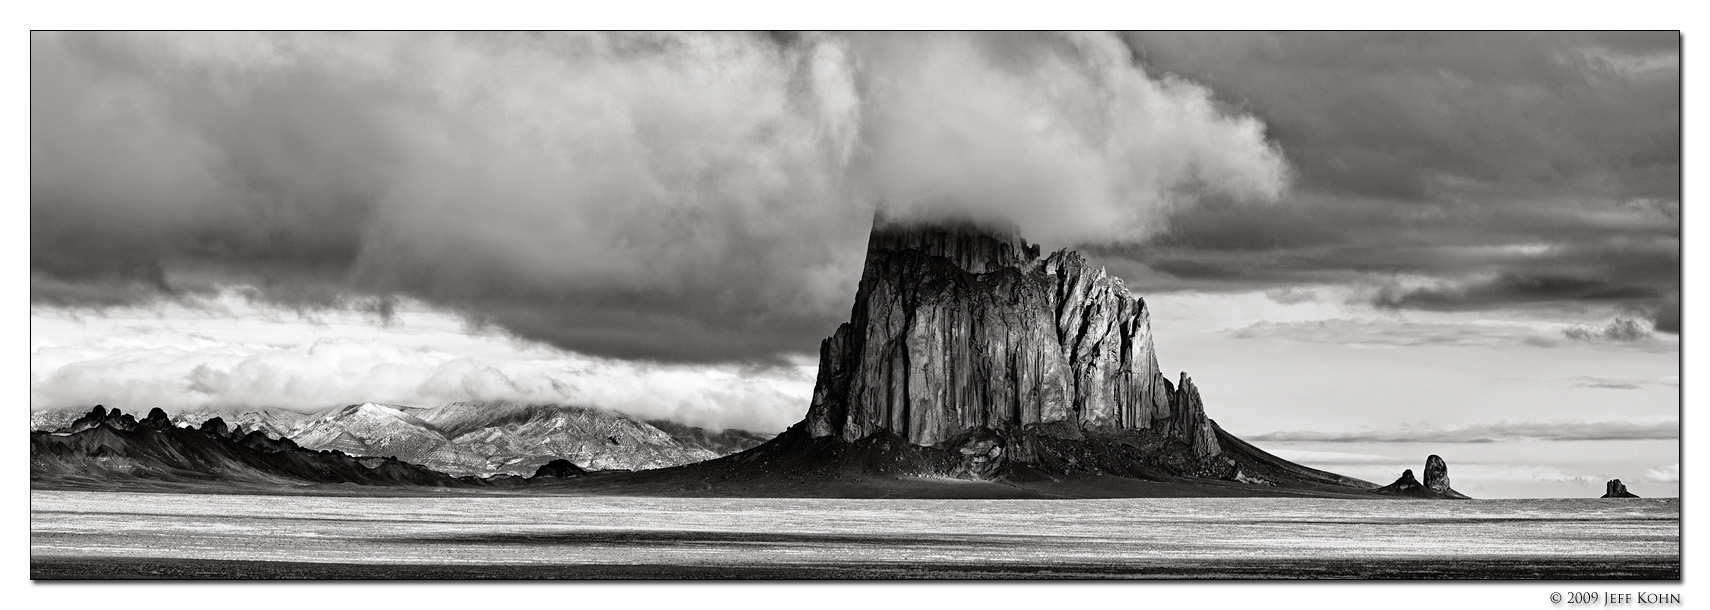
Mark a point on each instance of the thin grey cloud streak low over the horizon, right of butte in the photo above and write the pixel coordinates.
(1495, 433)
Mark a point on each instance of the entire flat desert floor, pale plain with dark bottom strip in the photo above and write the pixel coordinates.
(105, 536)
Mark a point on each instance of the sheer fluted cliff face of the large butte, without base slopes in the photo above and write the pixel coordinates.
(964, 327)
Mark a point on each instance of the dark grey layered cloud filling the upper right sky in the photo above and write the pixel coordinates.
(1507, 170)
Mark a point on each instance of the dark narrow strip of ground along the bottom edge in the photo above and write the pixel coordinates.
(1448, 568)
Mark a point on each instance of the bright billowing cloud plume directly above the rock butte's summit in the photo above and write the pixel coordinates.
(1064, 136)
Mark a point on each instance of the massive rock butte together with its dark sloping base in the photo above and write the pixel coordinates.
(1008, 363)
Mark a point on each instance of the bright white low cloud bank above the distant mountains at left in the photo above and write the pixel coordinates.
(194, 358)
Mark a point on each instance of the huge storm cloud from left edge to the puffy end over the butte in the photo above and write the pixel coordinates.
(669, 197)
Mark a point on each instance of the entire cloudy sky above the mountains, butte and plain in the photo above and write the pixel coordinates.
(1365, 249)
